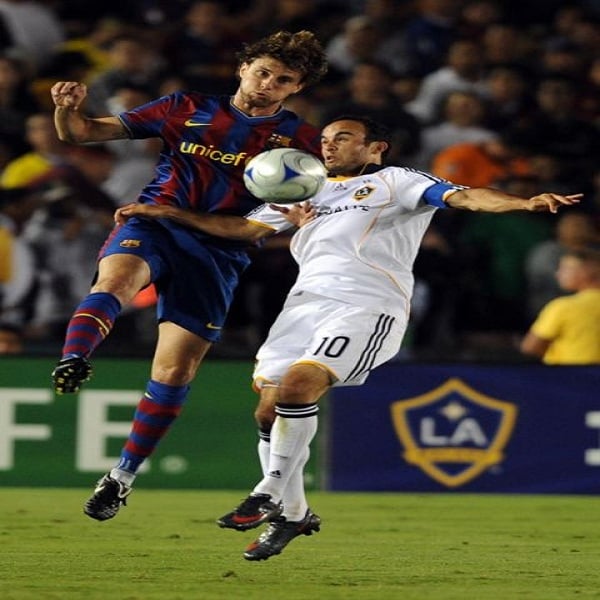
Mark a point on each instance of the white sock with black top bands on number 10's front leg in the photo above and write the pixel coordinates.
(293, 430)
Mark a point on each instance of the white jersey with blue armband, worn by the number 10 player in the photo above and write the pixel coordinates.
(362, 245)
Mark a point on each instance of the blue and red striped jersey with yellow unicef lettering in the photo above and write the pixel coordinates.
(206, 144)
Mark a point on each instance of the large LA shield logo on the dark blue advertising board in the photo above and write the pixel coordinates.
(453, 433)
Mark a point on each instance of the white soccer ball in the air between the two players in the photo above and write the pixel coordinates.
(284, 175)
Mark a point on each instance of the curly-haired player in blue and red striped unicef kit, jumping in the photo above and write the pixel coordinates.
(207, 140)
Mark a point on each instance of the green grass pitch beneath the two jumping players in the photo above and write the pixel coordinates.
(165, 545)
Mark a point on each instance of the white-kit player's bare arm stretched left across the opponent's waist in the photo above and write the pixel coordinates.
(227, 226)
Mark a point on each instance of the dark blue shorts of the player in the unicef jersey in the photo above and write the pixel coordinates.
(194, 279)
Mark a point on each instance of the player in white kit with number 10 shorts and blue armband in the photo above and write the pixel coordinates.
(348, 310)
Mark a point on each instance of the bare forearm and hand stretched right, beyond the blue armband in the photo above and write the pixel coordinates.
(491, 200)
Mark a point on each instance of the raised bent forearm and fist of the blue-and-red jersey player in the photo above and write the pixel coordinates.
(74, 127)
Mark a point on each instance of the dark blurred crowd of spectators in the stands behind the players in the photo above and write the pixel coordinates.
(482, 92)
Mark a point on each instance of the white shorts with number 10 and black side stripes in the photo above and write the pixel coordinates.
(348, 341)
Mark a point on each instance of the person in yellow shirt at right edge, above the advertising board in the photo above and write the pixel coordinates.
(567, 329)
